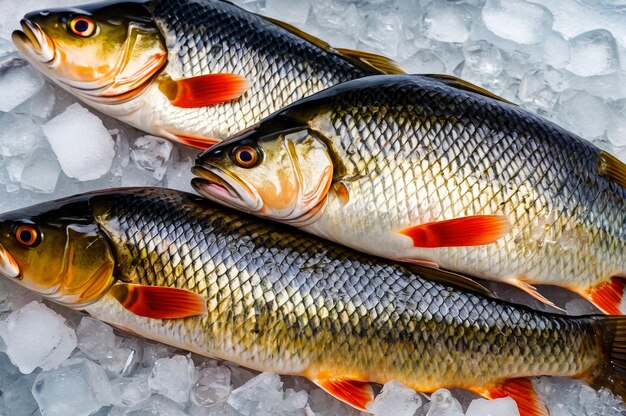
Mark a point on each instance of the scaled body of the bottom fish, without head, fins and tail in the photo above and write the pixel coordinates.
(270, 307)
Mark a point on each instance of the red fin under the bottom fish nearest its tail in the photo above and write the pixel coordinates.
(522, 391)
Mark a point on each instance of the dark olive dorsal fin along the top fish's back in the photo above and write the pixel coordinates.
(372, 63)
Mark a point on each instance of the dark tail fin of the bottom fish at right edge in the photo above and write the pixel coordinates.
(612, 373)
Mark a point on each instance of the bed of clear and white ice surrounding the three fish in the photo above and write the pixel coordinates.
(565, 60)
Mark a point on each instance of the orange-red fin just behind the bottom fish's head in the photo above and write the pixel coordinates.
(159, 302)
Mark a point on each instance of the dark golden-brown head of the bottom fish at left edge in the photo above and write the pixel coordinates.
(57, 250)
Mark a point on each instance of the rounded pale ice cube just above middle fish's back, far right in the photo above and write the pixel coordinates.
(583, 114)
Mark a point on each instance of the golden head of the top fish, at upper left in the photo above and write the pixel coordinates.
(103, 53)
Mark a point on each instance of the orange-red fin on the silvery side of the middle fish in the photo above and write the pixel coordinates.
(467, 231)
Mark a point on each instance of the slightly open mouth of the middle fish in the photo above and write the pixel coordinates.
(219, 186)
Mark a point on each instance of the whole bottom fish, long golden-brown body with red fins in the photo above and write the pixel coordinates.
(175, 268)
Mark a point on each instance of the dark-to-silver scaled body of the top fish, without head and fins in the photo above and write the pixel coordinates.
(251, 47)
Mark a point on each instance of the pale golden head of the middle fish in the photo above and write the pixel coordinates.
(284, 176)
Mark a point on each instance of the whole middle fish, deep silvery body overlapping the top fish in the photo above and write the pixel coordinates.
(427, 169)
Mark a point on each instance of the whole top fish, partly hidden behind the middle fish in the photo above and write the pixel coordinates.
(192, 71)
